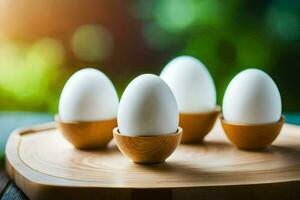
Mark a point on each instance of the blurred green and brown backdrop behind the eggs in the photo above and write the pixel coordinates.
(43, 42)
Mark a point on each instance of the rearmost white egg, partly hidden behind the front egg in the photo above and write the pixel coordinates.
(191, 84)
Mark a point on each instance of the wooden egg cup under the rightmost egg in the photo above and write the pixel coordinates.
(252, 137)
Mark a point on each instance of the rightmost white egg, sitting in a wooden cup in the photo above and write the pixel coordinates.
(252, 97)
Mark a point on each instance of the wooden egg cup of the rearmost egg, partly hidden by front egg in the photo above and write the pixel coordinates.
(197, 125)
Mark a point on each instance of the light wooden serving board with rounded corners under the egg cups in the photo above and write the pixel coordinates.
(45, 166)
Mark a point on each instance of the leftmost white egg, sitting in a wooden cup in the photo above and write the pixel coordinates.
(88, 96)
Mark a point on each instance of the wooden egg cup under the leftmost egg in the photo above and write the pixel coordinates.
(87, 135)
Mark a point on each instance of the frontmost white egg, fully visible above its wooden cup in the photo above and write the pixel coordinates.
(147, 107)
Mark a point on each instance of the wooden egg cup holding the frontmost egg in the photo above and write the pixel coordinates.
(147, 149)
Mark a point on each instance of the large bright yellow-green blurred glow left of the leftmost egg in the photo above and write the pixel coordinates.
(26, 71)
